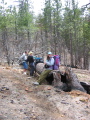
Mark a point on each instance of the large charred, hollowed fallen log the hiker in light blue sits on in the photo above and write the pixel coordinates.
(66, 81)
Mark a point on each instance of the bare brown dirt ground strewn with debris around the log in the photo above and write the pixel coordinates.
(21, 100)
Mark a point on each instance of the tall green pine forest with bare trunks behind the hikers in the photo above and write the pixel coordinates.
(62, 30)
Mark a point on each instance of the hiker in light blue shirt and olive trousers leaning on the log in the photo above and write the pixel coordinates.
(48, 68)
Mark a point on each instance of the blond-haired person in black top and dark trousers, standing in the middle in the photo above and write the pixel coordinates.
(30, 60)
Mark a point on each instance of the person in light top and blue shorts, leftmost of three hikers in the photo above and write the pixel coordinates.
(23, 58)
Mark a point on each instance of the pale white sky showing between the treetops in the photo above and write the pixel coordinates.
(38, 4)
